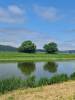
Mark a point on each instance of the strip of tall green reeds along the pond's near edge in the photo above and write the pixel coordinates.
(16, 83)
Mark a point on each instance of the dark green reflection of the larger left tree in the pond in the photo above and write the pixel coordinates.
(26, 67)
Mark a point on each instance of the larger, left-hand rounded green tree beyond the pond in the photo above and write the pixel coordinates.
(27, 47)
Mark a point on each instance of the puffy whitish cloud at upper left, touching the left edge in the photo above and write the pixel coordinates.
(12, 14)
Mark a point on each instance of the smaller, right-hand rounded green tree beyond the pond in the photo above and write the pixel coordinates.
(51, 47)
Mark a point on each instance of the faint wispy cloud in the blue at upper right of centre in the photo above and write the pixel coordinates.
(48, 13)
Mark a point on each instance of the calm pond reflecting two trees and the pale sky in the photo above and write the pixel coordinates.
(38, 69)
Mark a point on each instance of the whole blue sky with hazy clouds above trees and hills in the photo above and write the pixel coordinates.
(41, 21)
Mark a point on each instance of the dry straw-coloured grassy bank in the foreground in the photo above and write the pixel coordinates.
(62, 91)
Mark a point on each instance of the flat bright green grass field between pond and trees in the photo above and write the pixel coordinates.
(16, 56)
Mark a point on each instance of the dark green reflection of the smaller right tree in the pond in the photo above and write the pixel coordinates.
(51, 67)
